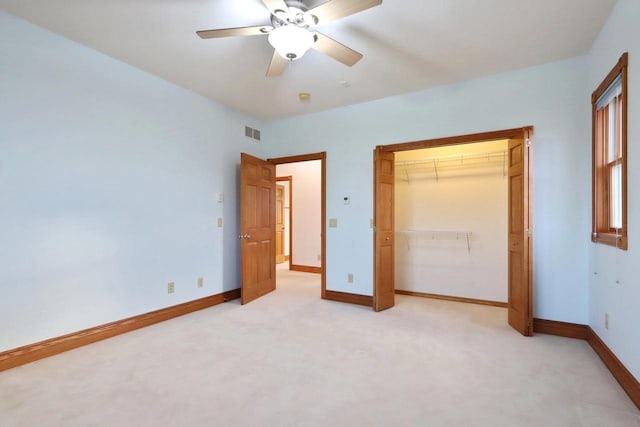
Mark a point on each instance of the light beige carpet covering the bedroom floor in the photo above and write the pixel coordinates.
(292, 359)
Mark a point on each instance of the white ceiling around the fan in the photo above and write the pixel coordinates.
(408, 45)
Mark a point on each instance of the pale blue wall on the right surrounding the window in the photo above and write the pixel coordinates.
(614, 287)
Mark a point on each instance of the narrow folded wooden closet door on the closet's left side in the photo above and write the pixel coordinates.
(384, 263)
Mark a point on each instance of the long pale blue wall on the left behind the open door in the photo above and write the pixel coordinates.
(108, 182)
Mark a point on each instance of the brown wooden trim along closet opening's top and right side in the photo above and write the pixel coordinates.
(484, 137)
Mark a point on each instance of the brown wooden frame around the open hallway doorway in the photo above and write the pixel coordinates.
(322, 156)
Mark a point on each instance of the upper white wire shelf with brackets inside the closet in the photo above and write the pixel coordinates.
(436, 164)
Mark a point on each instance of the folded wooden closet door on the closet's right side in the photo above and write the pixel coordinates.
(520, 234)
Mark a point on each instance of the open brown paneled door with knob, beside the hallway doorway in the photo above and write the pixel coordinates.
(257, 227)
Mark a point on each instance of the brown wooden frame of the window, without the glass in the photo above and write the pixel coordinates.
(601, 231)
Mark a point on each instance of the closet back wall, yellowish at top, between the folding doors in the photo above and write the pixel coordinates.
(468, 196)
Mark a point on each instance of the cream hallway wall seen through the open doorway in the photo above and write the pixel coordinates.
(306, 204)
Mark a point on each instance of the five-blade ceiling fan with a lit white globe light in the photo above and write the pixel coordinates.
(290, 31)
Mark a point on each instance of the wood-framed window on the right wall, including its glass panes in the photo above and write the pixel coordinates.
(609, 121)
